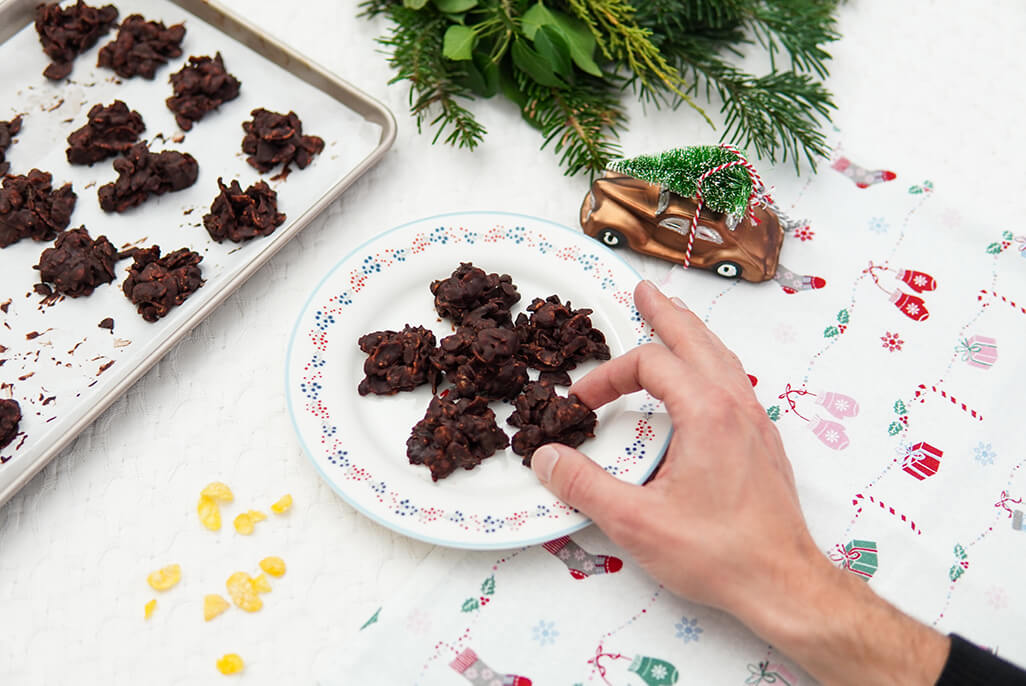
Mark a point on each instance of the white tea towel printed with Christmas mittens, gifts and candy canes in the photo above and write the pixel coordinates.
(892, 357)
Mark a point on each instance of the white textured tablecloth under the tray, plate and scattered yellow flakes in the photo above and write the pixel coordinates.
(922, 86)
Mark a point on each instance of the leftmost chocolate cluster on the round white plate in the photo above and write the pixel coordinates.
(398, 361)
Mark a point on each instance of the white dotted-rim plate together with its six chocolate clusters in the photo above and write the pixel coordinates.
(430, 364)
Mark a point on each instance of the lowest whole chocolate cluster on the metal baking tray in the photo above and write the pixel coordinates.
(156, 285)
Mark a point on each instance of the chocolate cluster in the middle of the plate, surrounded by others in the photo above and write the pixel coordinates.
(483, 364)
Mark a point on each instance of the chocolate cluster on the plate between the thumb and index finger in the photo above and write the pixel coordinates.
(544, 417)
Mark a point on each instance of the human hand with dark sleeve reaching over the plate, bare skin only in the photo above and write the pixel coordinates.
(721, 522)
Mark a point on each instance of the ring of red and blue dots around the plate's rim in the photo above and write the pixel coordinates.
(331, 316)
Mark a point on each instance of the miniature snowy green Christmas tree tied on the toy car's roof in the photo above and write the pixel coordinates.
(680, 170)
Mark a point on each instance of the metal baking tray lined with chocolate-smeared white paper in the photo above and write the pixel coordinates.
(62, 369)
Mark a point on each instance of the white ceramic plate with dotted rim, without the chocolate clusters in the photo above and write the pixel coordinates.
(359, 445)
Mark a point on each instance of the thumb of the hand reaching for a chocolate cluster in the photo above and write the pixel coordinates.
(581, 483)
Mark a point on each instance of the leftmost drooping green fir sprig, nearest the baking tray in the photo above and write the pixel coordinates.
(436, 84)
